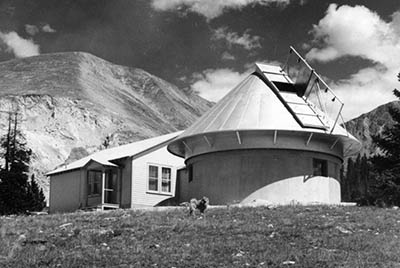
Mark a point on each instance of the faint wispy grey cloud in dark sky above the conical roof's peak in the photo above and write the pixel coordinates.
(246, 41)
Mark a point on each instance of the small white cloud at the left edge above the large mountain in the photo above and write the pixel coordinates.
(19, 46)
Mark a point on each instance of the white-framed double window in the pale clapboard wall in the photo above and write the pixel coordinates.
(160, 179)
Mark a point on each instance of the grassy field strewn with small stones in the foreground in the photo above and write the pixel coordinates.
(290, 236)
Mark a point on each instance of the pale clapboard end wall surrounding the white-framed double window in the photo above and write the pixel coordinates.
(140, 194)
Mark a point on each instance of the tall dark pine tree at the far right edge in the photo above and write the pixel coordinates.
(387, 164)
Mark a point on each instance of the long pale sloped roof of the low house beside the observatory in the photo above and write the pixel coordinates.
(129, 150)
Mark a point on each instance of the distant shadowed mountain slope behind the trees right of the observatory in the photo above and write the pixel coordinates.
(371, 124)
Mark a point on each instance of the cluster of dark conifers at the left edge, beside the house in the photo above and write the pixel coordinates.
(18, 193)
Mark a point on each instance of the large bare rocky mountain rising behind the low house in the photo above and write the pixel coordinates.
(74, 103)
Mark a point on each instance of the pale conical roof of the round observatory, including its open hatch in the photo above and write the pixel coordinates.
(266, 100)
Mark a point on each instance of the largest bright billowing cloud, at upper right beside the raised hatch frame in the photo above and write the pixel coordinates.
(347, 31)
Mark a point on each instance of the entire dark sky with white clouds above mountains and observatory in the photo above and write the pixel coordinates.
(209, 46)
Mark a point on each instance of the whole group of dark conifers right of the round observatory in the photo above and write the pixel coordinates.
(376, 180)
